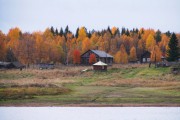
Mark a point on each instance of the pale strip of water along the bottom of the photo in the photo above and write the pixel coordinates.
(89, 113)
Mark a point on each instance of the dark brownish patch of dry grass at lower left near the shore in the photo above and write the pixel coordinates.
(24, 92)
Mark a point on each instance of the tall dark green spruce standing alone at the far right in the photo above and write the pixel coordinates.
(173, 52)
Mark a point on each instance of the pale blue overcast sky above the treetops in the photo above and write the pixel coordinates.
(37, 15)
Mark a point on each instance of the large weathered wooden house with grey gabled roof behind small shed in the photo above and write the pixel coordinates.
(100, 56)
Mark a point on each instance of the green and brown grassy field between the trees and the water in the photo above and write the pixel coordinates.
(121, 85)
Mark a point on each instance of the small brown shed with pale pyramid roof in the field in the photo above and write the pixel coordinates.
(100, 66)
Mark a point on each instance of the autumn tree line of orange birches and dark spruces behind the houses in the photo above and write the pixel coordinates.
(63, 46)
